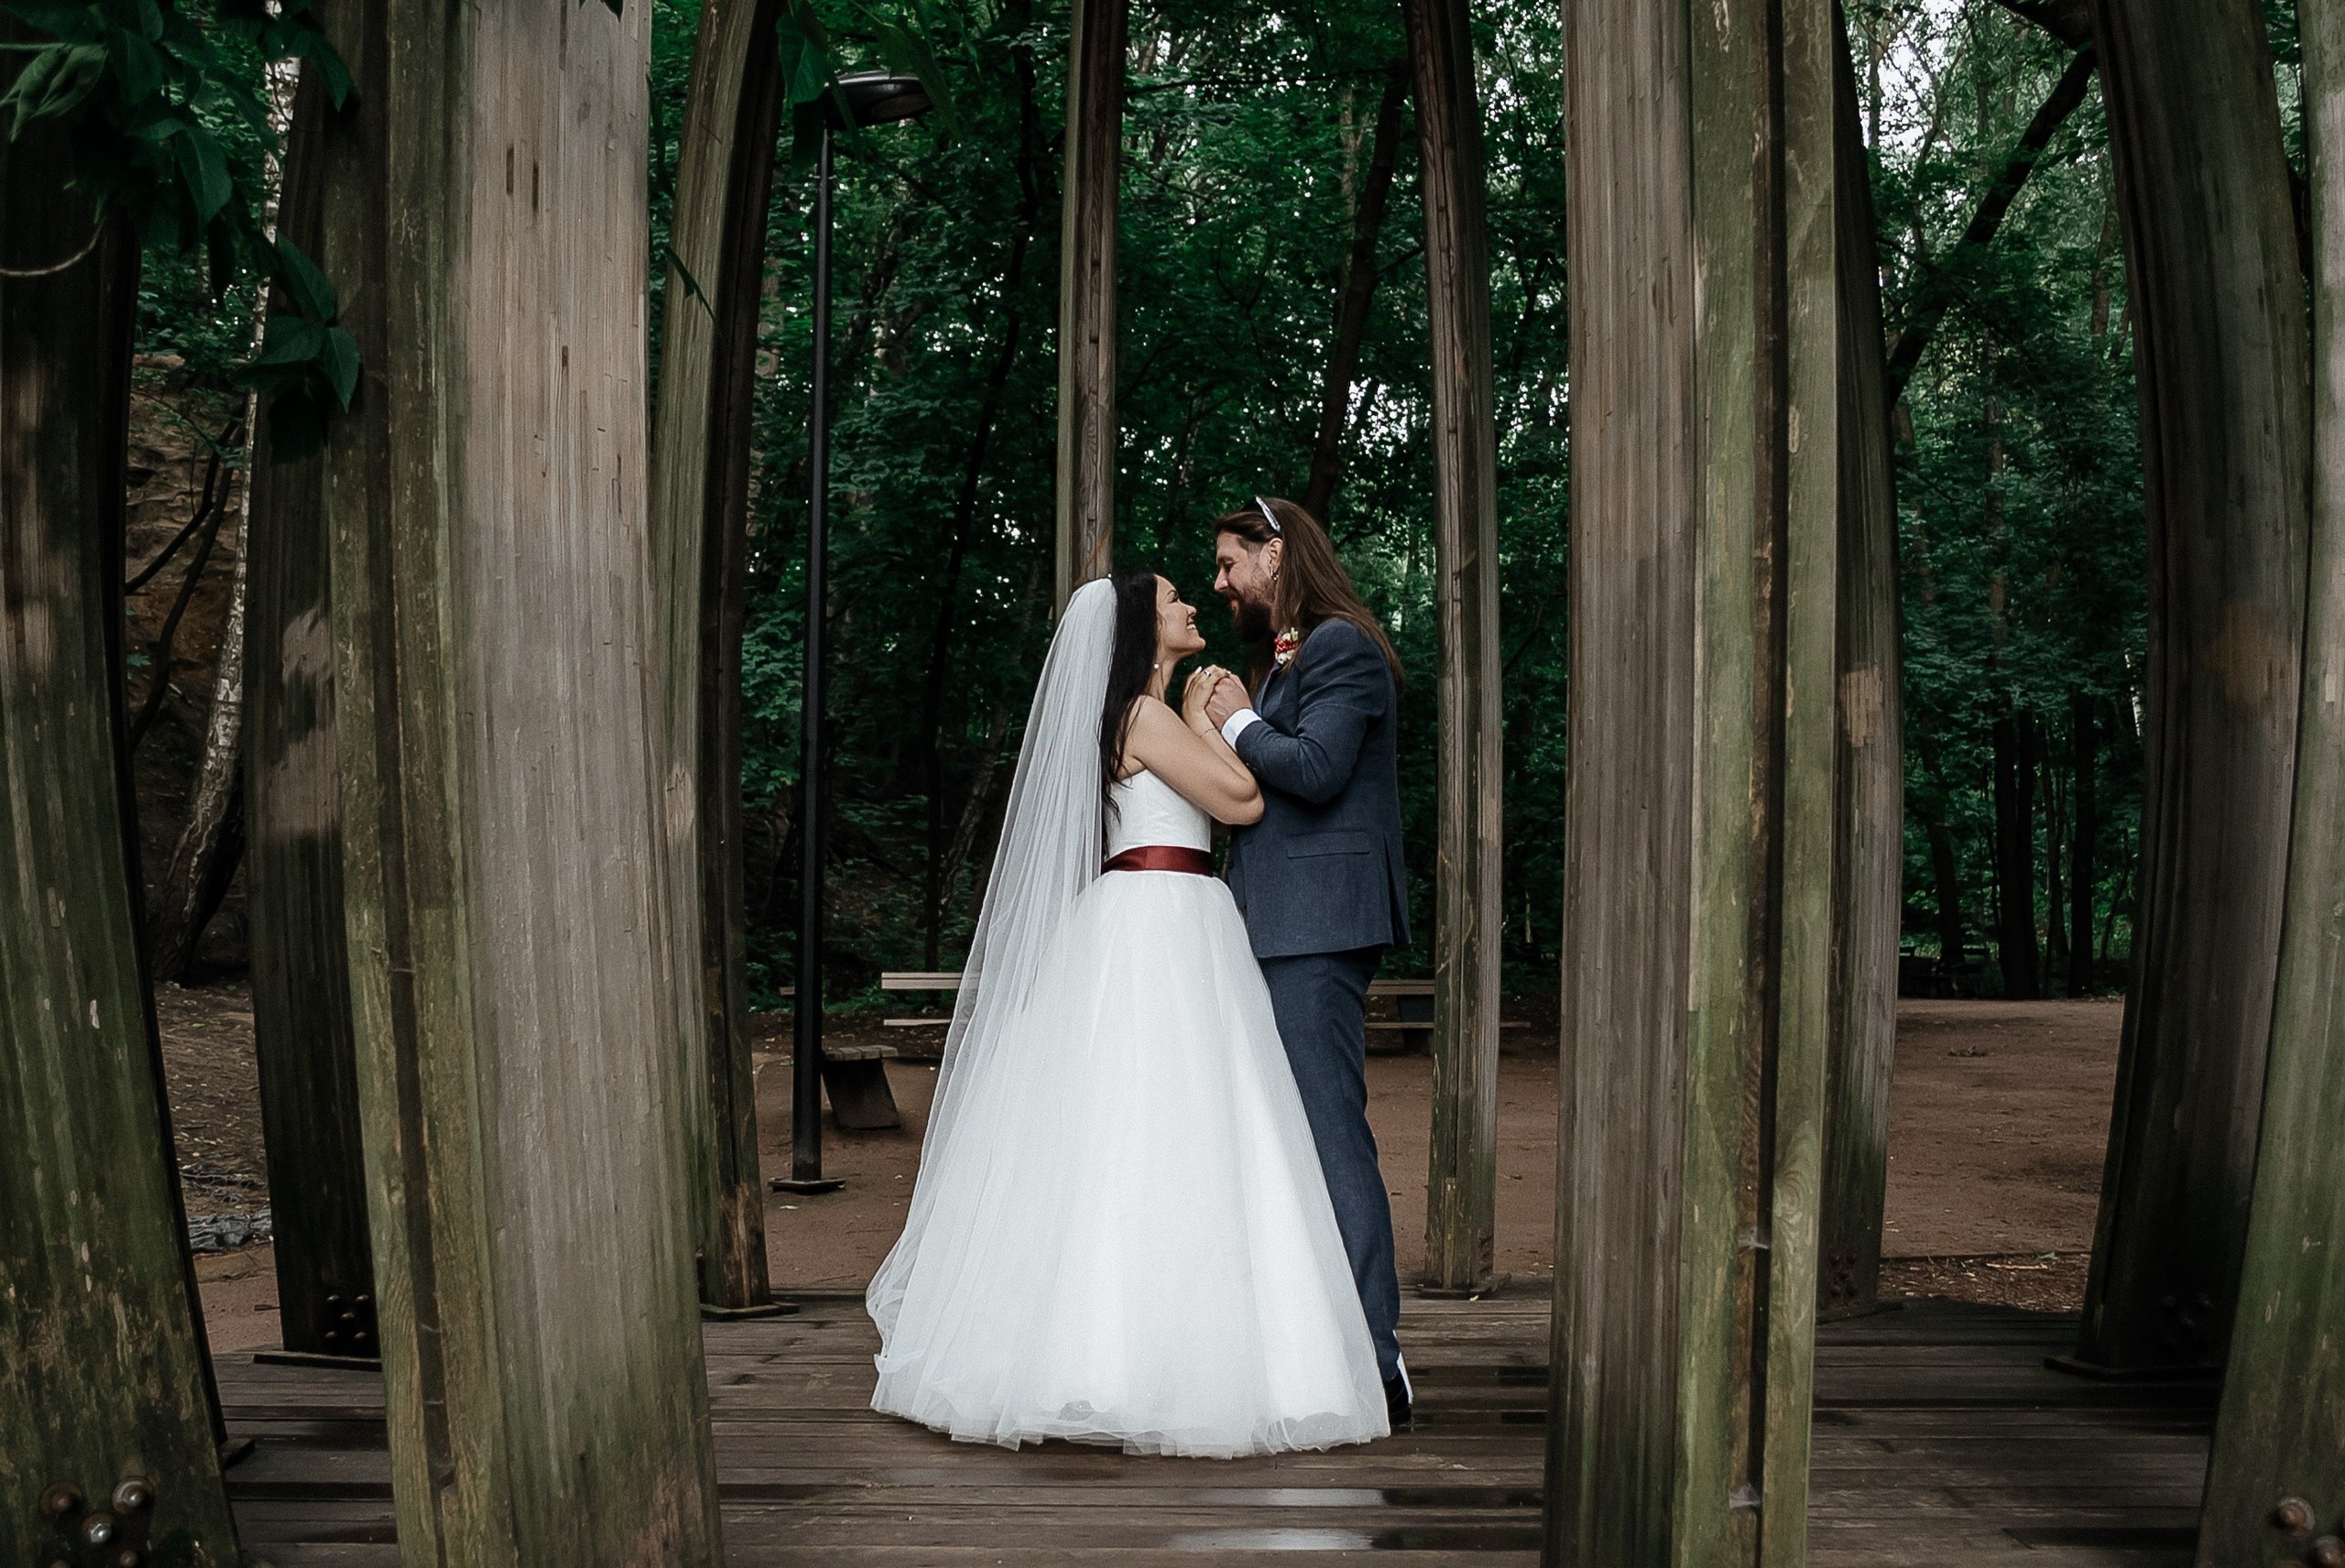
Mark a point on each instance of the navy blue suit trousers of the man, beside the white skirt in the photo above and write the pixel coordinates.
(1321, 1004)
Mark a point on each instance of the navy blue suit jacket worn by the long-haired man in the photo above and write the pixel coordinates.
(1321, 871)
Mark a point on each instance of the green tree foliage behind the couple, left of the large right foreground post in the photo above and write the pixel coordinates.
(1249, 142)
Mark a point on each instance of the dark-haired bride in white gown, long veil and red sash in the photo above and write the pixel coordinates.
(1120, 1229)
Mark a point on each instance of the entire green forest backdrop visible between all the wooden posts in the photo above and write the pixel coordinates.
(1270, 172)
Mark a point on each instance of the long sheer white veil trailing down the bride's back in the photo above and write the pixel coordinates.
(1052, 845)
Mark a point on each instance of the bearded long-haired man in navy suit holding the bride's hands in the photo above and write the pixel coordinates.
(1319, 878)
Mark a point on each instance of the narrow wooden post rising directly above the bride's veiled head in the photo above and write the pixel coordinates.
(1087, 294)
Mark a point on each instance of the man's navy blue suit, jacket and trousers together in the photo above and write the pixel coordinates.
(1324, 894)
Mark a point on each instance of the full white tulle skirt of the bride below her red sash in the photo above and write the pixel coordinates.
(1124, 1234)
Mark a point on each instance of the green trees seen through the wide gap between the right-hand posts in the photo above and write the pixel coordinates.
(2020, 484)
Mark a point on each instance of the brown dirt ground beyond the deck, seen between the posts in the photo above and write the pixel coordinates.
(1999, 1122)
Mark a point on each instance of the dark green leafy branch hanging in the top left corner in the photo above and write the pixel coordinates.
(140, 88)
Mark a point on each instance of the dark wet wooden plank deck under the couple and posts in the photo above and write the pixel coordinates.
(1940, 1440)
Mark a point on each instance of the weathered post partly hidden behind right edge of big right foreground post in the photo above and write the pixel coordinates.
(1868, 899)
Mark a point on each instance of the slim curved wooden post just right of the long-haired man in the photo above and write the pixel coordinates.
(1467, 875)
